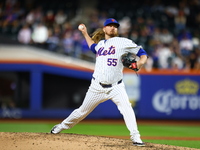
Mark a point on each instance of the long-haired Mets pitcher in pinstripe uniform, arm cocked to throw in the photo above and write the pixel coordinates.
(113, 53)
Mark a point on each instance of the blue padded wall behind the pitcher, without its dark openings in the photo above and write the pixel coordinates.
(153, 95)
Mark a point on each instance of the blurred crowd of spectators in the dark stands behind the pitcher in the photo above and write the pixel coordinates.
(168, 30)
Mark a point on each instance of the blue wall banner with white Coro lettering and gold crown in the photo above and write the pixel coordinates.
(170, 97)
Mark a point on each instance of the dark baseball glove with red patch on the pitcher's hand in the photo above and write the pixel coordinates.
(129, 61)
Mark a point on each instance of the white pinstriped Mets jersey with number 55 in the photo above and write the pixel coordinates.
(108, 68)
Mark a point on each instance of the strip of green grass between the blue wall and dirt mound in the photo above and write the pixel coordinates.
(116, 129)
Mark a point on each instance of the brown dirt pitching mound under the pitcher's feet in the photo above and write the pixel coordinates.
(63, 141)
